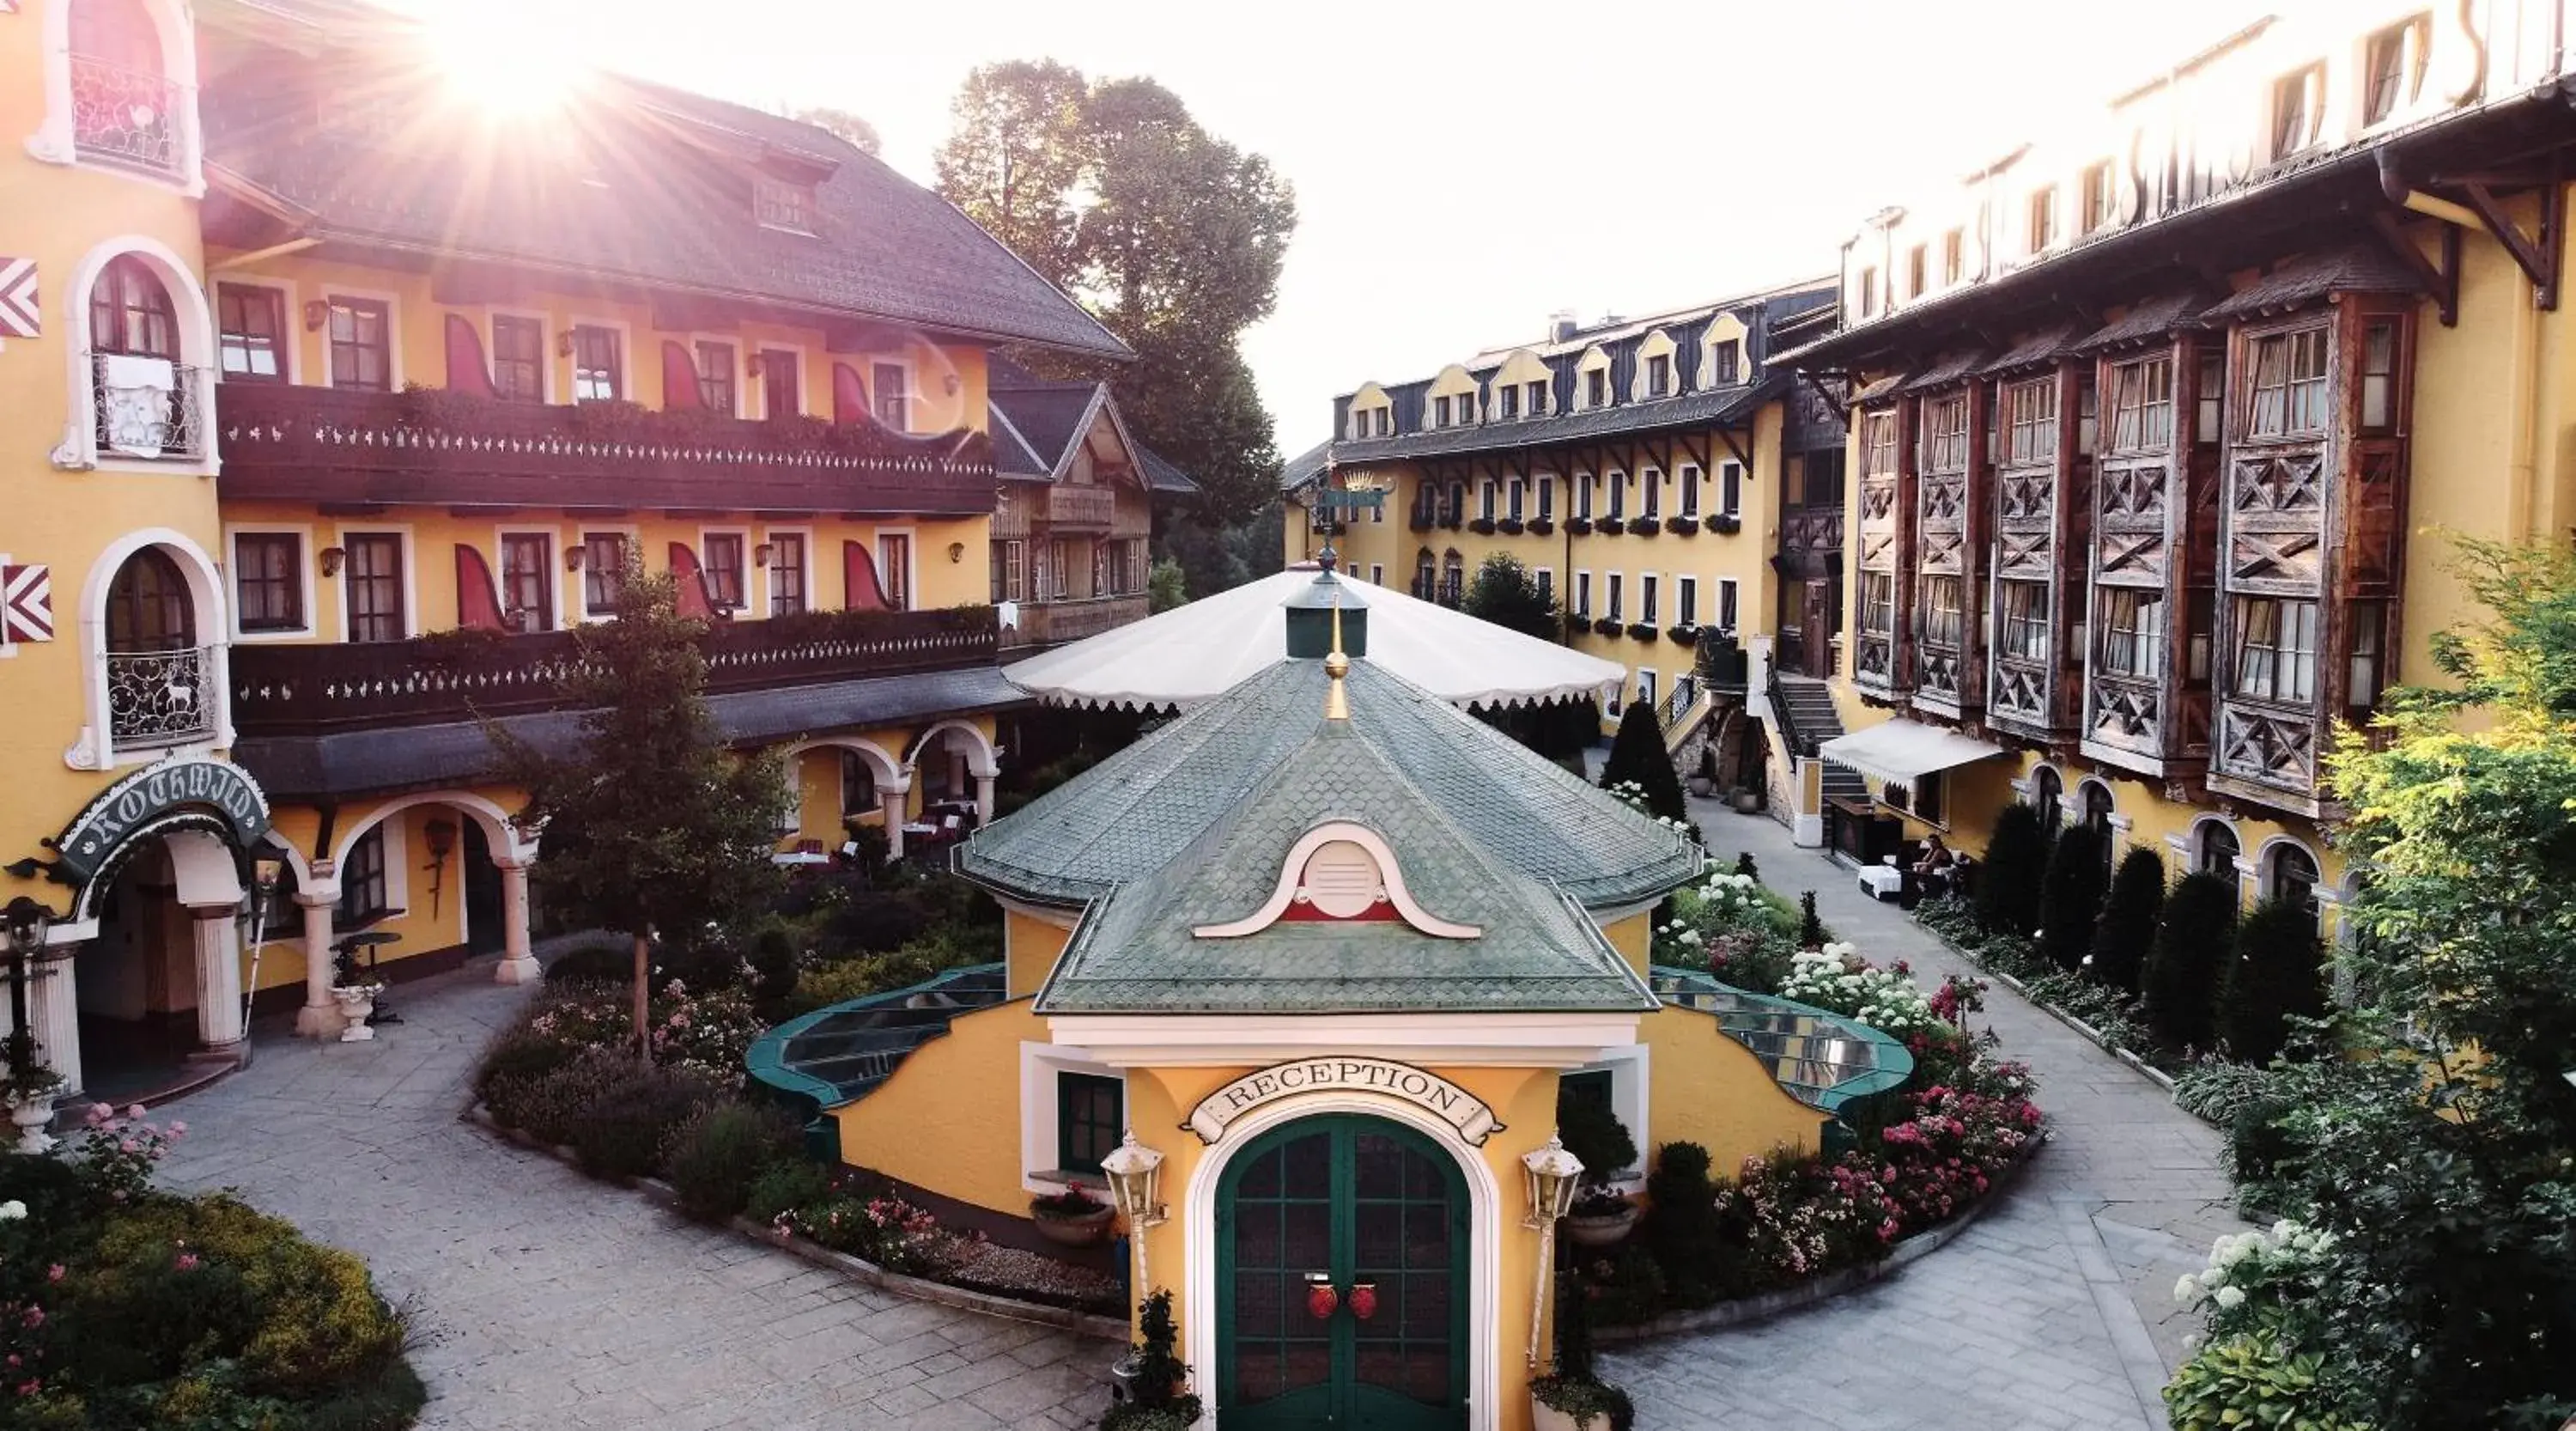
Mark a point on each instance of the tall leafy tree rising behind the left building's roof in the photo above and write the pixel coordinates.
(1168, 233)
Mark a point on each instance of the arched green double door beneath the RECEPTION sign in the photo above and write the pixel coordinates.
(1343, 1203)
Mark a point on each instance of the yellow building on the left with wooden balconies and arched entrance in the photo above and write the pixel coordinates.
(334, 406)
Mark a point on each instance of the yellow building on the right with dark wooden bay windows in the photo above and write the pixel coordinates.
(2160, 427)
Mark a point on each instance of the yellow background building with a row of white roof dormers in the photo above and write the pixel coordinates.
(1658, 476)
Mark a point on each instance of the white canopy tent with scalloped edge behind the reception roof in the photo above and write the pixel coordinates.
(1209, 646)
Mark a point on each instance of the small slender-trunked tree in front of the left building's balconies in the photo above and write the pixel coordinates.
(671, 826)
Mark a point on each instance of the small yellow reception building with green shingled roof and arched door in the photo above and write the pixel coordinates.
(1328, 953)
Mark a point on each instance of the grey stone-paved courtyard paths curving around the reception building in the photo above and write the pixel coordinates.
(550, 1303)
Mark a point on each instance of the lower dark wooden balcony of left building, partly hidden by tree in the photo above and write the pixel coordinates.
(452, 677)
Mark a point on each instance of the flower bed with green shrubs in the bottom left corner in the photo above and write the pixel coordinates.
(128, 1309)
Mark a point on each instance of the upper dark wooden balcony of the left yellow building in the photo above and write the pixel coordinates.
(431, 447)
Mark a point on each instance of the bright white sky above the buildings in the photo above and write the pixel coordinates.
(1467, 171)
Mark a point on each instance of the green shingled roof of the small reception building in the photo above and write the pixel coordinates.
(1194, 826)
